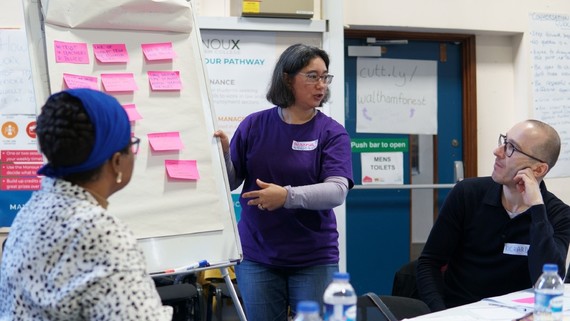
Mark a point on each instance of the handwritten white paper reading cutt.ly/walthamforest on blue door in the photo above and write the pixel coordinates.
(396, 96)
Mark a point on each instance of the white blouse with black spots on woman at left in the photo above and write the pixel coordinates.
(67, 259)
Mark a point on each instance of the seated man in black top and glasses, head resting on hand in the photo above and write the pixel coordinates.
(493, 234)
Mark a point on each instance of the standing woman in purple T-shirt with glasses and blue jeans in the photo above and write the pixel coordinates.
(295, 163)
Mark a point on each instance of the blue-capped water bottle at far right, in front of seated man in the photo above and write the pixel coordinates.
(548, 293)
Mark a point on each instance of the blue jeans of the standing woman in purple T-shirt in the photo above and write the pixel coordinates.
(268, 292)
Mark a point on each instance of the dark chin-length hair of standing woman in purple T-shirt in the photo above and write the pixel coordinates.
(291, 61)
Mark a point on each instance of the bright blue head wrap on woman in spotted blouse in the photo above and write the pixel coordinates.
(112, 131)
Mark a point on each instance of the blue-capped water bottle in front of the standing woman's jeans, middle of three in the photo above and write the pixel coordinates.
(340, 299)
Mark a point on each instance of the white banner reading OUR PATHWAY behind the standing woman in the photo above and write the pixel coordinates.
(239, 67)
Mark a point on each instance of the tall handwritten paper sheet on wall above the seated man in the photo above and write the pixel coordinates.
(550, 69)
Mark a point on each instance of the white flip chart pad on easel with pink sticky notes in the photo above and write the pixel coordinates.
(177, 221)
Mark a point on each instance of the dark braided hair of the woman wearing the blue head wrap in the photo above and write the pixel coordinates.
(66, 135)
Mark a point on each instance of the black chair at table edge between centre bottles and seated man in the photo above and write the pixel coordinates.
(389, 308)
